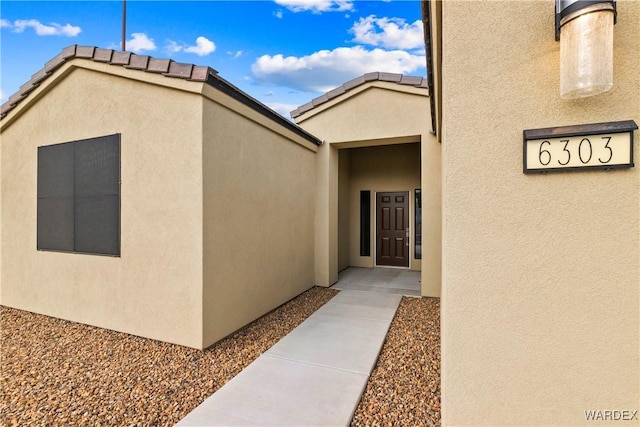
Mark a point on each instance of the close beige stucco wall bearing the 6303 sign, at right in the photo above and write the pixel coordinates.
(541, 273)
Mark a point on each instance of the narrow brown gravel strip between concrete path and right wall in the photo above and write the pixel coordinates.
(404, 387)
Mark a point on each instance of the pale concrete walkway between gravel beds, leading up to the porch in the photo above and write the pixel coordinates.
(313, 376)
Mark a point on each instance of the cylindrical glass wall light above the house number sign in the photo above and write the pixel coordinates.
(586, 46)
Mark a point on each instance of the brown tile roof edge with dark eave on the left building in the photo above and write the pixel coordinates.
(143, 63)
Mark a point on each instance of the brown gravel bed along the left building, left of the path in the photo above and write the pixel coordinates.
(55, 372)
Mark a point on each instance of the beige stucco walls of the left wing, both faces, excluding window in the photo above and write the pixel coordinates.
(200, 207)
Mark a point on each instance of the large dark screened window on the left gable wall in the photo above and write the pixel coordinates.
(79, 196)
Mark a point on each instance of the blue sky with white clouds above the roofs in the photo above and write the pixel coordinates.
(282, 52)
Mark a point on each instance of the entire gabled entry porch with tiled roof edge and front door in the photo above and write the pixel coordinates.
(378, 188)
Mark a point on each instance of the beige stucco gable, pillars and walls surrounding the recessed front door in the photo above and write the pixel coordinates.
(377, 137)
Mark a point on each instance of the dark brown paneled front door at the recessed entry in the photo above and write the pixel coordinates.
(392, 229)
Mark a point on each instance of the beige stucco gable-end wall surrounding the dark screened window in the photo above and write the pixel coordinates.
(154, 288)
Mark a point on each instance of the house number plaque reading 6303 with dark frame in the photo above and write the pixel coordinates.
(592, 146)
